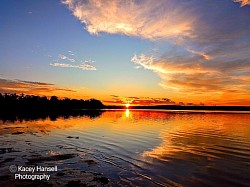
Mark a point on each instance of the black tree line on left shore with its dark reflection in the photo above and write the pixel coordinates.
(17, 107)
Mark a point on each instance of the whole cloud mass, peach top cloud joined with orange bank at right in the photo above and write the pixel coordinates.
(206, 44)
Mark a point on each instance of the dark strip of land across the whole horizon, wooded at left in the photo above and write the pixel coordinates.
(13, 103)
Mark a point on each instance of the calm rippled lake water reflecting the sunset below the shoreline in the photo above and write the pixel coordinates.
(136, 148)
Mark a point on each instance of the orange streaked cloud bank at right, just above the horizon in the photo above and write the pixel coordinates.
(198, 80)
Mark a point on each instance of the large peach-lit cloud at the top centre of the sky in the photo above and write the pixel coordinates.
(148, 19)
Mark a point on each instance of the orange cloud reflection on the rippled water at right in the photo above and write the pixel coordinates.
(199, 133)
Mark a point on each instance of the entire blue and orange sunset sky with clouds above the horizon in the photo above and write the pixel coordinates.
(142, 52)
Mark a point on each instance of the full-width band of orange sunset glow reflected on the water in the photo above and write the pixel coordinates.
(177, 131)
